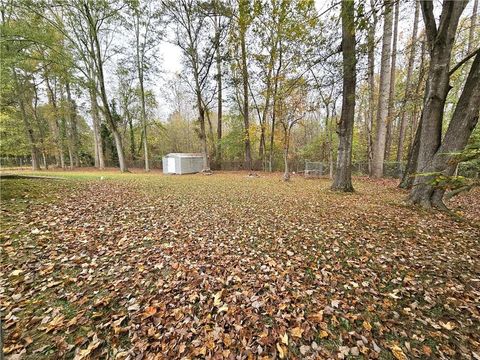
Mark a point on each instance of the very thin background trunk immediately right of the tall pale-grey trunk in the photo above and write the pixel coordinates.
(391, 94)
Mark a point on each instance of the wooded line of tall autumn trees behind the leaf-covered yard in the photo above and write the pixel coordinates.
(264, 83)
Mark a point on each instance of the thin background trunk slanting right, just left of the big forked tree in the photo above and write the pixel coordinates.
(408, 86)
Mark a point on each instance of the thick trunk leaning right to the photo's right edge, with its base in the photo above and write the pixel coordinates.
(464, 120)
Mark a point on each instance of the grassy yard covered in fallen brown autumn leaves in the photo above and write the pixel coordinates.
(226, 266)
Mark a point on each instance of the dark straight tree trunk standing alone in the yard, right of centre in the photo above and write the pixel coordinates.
(343, 175)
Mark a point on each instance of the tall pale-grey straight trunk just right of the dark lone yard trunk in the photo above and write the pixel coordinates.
(382, 109)
